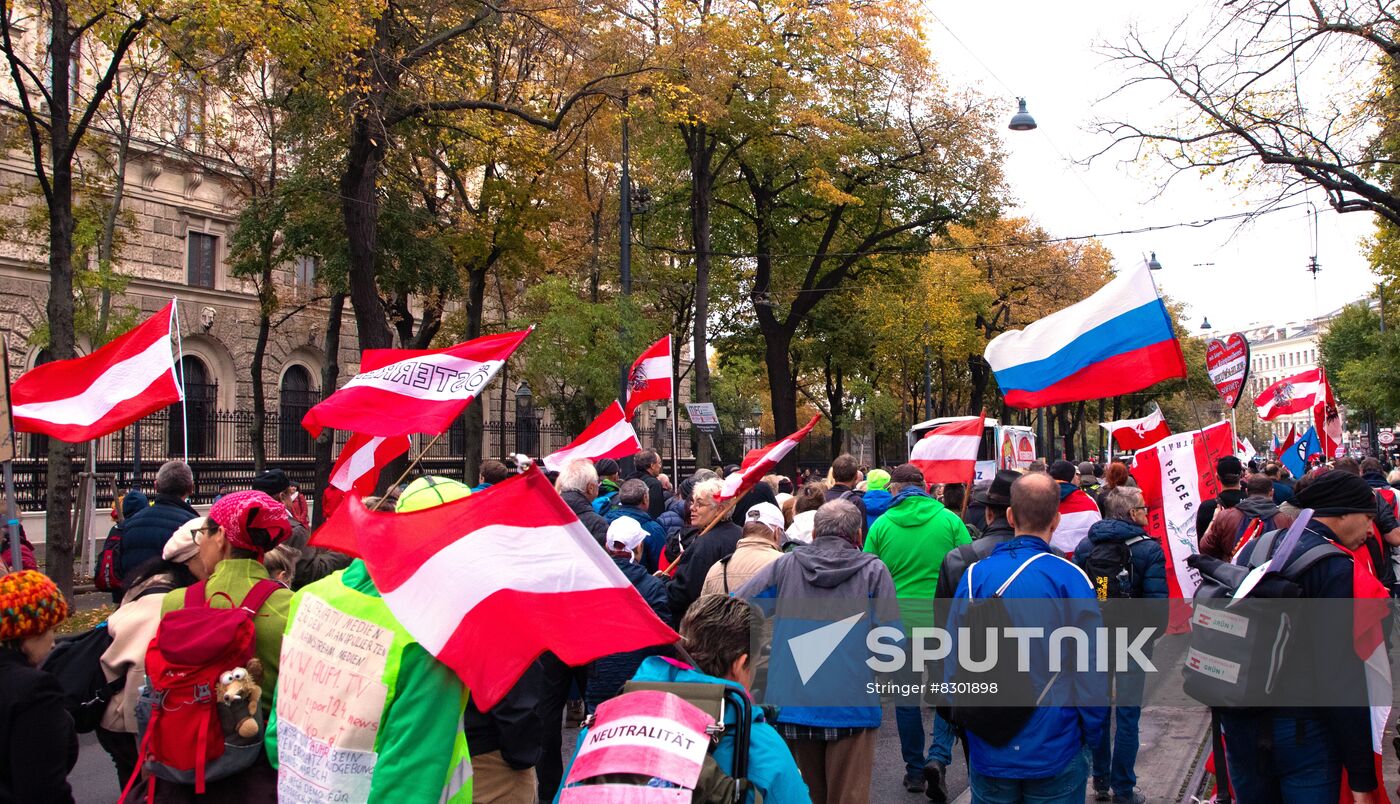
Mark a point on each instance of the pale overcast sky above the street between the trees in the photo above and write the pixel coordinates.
(1049, 53)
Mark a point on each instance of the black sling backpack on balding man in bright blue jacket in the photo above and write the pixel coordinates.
(1016, 695)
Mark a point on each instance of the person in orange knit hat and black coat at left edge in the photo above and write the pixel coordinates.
(38, 746)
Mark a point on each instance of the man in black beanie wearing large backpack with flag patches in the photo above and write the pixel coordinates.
(1294, 754)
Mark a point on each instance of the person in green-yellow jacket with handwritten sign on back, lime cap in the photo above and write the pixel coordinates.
(365, 712)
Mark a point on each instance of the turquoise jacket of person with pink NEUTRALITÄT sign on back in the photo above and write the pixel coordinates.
(772, 768)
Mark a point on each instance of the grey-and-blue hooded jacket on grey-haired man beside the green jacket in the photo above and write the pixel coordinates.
(828, 569)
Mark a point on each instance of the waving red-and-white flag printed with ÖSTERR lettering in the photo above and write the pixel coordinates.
(404, 391)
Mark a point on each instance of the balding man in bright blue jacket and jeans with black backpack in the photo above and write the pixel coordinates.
(1048, 761)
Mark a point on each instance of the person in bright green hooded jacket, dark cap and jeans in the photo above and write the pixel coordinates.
(912, 539)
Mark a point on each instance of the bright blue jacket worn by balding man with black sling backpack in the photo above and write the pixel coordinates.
(1056, 733)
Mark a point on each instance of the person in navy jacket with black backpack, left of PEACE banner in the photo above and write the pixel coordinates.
(1125, 522)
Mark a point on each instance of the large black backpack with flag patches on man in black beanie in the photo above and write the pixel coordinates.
(1237, 655)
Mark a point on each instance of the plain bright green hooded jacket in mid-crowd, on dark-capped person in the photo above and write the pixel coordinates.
(913, 539)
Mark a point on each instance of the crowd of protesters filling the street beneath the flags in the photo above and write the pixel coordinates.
(695, 558)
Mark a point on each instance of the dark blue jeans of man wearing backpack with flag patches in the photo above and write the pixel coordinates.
(1303, 768)
